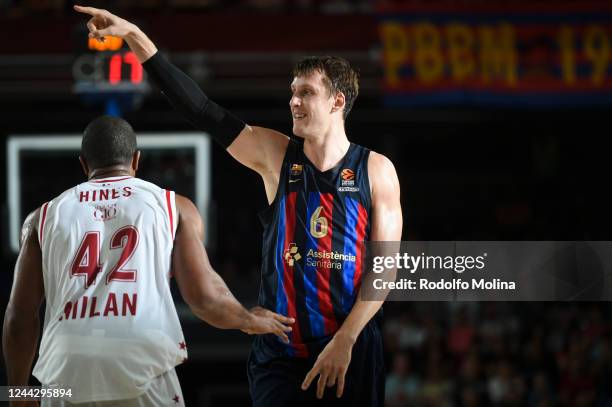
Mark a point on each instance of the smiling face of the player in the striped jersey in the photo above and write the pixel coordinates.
(313, 106)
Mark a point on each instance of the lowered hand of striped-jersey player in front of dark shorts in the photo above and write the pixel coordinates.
(331, 366)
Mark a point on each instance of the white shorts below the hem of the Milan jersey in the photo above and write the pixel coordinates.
(164, 390)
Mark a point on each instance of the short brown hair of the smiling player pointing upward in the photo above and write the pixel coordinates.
(339, 76)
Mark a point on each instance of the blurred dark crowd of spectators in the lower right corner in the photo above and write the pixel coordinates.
(498, 354)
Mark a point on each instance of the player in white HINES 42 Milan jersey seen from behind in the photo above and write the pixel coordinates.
(101, 255)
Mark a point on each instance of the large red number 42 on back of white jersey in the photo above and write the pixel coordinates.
(86, 262)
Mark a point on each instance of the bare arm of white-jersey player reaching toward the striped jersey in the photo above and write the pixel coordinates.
(205, 291)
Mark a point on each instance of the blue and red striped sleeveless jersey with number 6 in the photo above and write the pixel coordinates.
(313, 248)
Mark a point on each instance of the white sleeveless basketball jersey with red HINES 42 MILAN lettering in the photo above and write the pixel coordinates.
(110, 323)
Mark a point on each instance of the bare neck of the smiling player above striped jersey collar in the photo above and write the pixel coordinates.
(327, 151)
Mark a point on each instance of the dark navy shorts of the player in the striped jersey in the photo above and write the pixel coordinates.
(277, 382)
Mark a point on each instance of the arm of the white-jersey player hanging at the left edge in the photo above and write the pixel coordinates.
(21, 329)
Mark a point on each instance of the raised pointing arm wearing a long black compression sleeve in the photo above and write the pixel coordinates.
(258, 148)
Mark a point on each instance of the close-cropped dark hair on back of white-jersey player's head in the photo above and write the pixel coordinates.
(108, 141)
